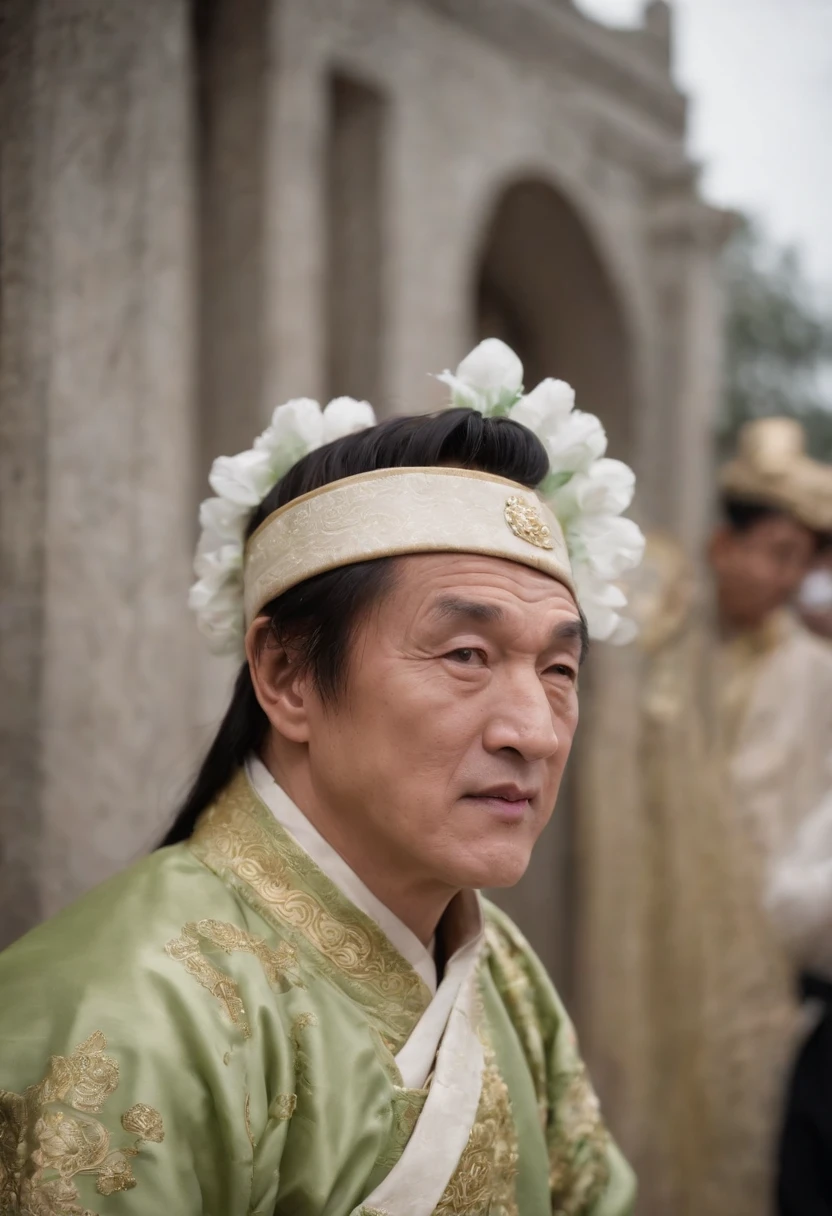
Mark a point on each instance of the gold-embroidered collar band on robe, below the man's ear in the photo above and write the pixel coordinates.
(241, 842)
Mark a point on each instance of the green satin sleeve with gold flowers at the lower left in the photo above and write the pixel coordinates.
(132, 1076)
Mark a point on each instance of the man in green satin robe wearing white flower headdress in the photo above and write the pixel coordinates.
(302, 1005)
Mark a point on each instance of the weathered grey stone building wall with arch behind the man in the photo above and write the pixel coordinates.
(210, 207)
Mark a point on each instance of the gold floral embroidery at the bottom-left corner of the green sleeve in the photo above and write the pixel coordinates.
(48, 1135)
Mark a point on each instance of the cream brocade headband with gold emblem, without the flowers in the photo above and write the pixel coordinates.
(392, 513)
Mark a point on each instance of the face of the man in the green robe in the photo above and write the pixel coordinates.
(448, 747)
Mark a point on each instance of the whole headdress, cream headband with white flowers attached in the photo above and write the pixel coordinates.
(571, 528)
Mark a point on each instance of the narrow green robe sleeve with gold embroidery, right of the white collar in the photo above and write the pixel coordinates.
(588, 1174)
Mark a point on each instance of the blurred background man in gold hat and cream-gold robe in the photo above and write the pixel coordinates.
(735, 738)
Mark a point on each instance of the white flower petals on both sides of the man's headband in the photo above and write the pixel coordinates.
(586, 492)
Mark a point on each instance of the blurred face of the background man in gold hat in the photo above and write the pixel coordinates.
(761, 570)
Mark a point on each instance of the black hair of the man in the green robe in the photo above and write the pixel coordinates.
(319, 617)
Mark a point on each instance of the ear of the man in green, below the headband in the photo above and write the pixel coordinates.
(282, 690)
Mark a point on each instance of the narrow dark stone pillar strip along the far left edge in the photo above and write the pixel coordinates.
(24, 391)
